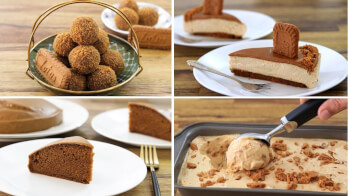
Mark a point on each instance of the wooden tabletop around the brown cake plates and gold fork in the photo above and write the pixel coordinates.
(96, 106)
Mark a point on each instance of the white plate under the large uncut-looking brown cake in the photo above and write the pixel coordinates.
(74, 116)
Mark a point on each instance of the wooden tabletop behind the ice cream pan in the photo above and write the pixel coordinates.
(188, 111)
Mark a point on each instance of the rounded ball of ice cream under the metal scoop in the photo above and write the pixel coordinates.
(247, 154)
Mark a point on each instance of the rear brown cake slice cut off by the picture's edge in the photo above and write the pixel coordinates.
(147, 120)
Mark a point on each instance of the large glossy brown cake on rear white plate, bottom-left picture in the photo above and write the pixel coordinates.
(28, 115)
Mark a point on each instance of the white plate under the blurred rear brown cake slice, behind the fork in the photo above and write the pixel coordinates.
(113, 124)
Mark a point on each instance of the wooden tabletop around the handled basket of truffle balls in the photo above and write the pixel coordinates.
(17, 18)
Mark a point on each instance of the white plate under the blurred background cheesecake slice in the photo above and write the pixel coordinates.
(258, 25)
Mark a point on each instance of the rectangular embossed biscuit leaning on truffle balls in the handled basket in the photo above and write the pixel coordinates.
(52, 70)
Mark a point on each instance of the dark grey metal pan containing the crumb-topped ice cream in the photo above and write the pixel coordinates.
(182, 144)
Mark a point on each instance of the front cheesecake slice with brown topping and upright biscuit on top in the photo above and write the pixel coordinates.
(284, 63)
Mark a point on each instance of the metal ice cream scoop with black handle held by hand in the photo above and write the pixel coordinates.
(290, 122)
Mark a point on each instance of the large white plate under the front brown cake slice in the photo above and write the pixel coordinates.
(115, 170)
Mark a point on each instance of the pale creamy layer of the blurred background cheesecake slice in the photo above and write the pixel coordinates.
(213, 25)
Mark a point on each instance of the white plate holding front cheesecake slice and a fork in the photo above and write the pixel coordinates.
(333, 70)
